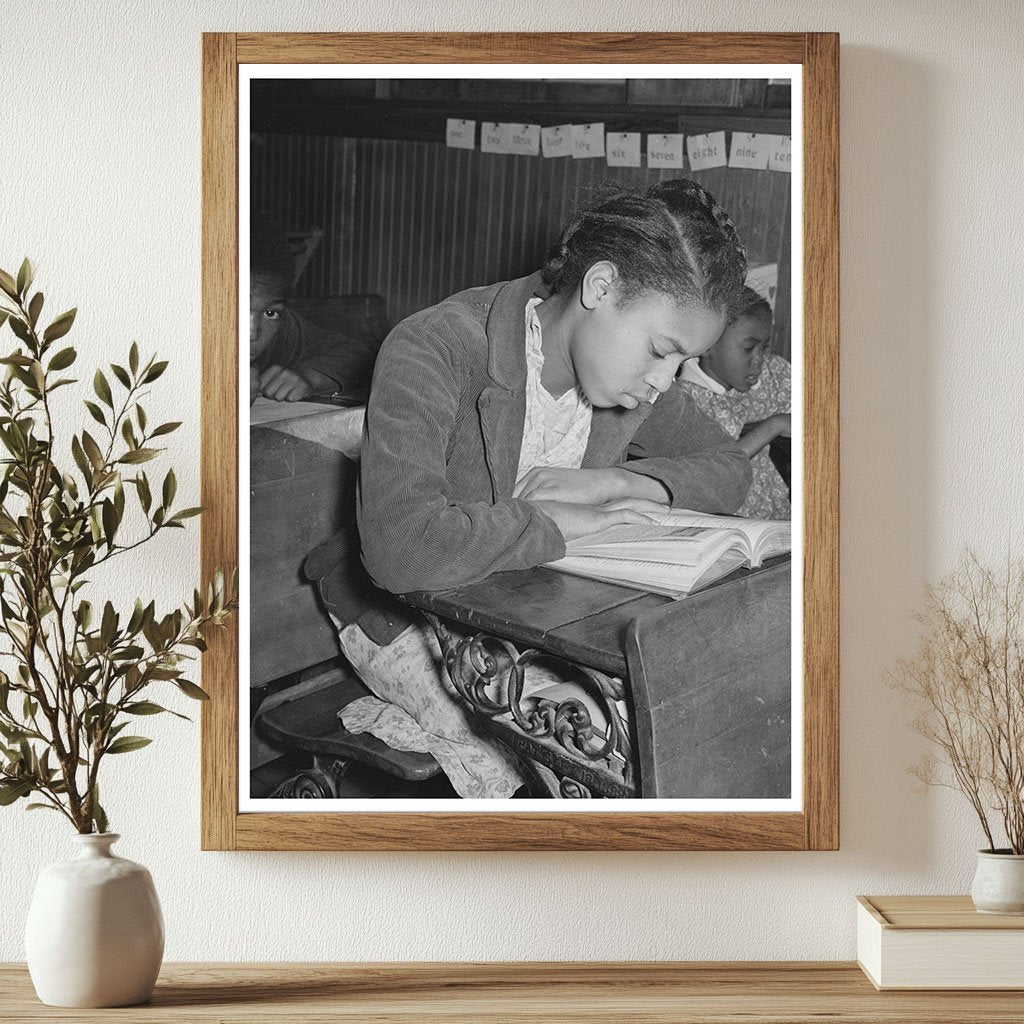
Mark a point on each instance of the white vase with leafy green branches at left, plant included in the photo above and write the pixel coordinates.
(79, 671)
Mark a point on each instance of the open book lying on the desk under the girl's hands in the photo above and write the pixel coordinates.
(677, 553)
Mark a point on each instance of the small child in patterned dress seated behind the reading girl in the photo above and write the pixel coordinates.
(746, 390)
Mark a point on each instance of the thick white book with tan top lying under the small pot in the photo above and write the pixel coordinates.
(938, 943)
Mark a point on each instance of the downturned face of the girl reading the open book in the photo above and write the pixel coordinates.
(626, 355)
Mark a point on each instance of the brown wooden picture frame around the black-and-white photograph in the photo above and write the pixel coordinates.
(814, 828)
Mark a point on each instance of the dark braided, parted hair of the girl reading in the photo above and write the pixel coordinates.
(671, 239)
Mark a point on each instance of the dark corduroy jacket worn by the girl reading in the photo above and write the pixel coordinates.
(444, 432)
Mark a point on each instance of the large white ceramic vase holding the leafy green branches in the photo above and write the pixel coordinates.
(96, 935)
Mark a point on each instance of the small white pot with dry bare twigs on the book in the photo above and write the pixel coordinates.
(968, 681)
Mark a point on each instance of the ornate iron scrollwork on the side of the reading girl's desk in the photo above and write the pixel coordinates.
(490, 674)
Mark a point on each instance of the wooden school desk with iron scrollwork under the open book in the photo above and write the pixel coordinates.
(707, 680)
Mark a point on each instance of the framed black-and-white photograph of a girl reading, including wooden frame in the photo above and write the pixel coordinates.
(524, 312)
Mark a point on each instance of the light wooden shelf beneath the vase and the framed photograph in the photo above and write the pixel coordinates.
(477, 994)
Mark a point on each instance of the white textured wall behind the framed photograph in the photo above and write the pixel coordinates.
(100, 183)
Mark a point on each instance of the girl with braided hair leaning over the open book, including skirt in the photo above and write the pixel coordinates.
(510, 419)
